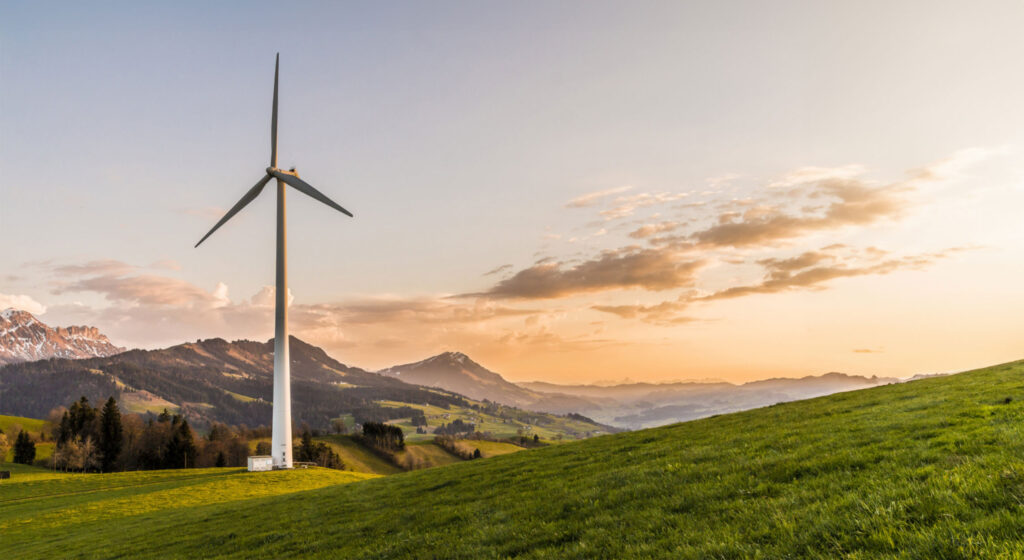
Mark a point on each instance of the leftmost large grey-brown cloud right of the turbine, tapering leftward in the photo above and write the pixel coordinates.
(654, 270)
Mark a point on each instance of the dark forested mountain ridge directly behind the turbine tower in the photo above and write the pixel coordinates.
(233, 382)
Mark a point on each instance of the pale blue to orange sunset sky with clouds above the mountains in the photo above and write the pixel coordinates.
(569, 192)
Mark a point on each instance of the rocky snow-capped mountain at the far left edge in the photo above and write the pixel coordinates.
(25, 338)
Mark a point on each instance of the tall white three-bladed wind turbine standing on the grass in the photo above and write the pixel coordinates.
(281, 441)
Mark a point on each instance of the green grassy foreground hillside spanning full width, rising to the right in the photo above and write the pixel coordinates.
(930, 469)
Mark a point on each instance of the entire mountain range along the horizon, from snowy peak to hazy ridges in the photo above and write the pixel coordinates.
(233, 382)
